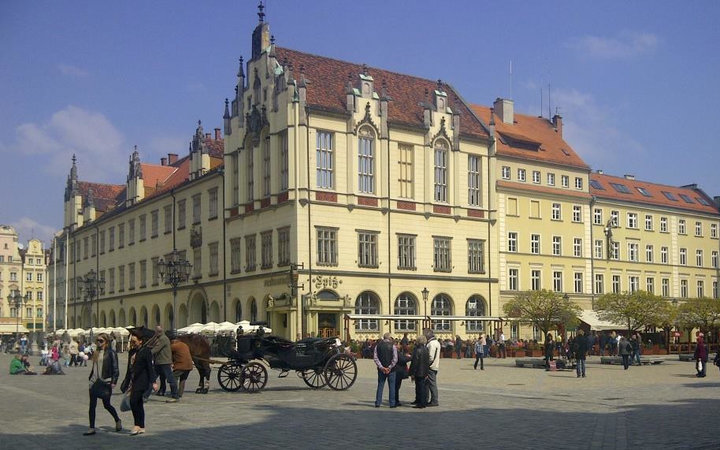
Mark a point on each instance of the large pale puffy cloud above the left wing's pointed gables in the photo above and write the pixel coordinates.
(99, 146)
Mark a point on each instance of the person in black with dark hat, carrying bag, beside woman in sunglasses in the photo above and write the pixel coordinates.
(139, 376)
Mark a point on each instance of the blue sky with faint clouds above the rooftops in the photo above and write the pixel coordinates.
(636, 82)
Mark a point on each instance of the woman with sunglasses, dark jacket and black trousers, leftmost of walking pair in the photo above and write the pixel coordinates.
(104, 374)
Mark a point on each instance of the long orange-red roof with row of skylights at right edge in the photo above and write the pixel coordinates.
(686, 197)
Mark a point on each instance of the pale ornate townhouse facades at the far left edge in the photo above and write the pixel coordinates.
(22, 270)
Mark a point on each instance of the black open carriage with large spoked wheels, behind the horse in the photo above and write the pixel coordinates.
(318, 361)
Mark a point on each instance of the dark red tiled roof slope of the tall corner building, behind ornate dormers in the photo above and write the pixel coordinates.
(327, 85)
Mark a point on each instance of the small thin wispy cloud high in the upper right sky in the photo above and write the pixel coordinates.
(626, 44)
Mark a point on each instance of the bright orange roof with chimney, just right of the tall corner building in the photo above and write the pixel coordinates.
(532, 138)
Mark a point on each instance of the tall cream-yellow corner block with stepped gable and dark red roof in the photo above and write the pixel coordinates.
(377, 184)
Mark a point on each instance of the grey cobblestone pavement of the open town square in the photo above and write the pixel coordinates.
(500, 407)
